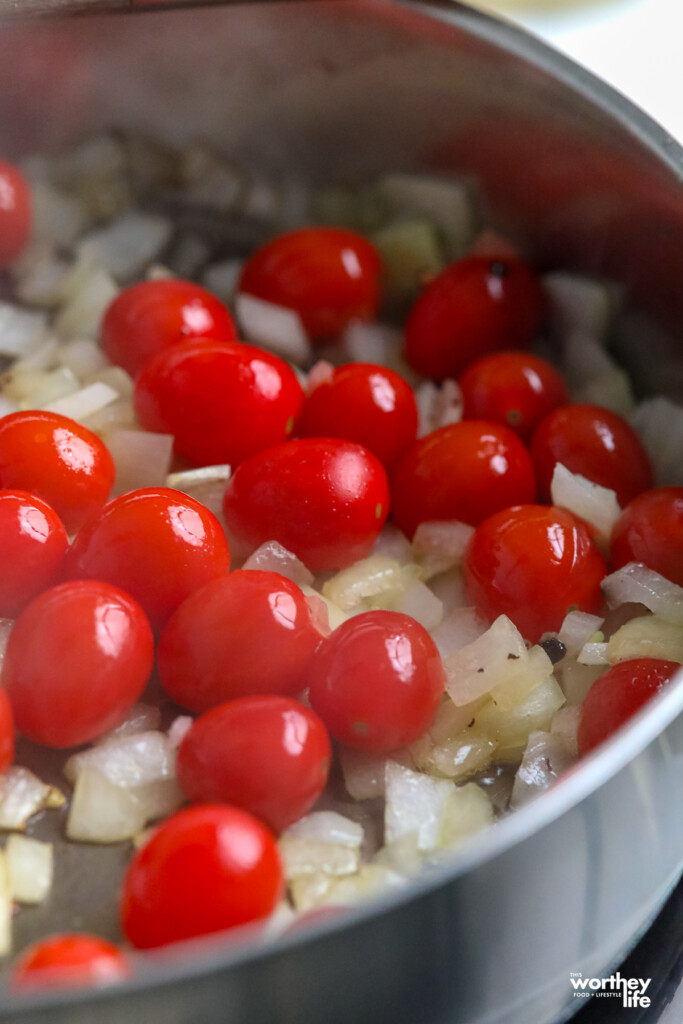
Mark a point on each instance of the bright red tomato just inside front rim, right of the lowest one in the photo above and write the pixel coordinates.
(205, 870)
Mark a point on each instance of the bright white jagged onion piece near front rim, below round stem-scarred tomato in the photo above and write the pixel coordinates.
(415, 803)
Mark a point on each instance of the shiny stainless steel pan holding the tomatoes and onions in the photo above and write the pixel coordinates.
(582, 180)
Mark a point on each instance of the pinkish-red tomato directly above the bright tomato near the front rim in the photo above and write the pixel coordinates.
(269, 755)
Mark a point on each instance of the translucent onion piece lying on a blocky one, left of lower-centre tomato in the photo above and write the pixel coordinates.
(129, 760)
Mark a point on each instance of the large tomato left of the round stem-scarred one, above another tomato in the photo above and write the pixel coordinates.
(247, 633)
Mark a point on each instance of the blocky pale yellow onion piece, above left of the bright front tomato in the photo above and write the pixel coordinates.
(102, 812)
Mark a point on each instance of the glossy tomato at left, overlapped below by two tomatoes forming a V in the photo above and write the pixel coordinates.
(157, 544)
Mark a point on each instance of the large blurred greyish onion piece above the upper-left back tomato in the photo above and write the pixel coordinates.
(129, 244)
